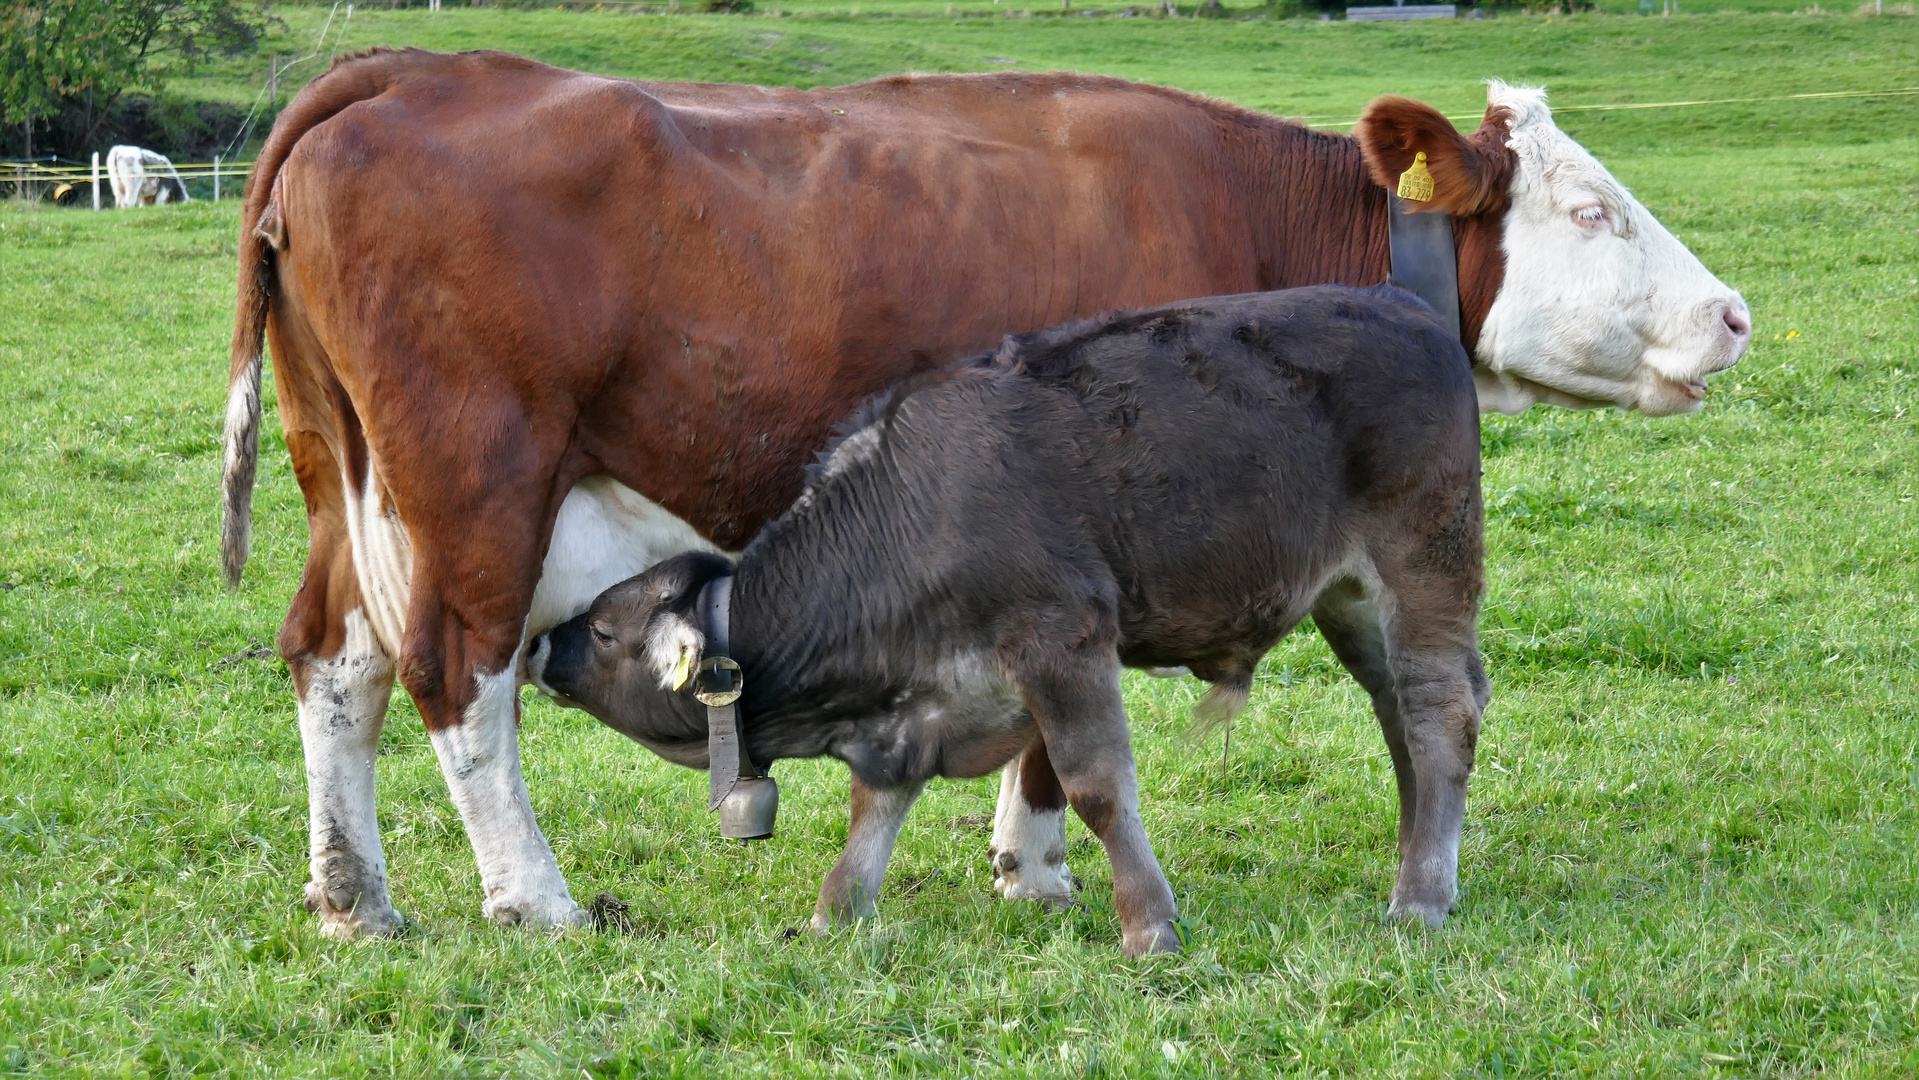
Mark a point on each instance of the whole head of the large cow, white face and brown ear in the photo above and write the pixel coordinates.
(1596, 302)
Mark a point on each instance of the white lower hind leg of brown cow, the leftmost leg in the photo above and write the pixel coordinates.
(343, 707)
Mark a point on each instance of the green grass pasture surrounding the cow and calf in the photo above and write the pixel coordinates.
(1692, 839)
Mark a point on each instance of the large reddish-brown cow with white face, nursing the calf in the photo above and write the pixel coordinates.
(511, 381)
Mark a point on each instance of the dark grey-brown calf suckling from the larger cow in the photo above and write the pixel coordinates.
(983, 552)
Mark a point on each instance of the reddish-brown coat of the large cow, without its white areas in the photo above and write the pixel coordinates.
(494, 277)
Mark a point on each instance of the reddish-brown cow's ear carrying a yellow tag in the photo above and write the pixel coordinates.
(1469, 174)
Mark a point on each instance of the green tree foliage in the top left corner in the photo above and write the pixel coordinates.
(55, 53)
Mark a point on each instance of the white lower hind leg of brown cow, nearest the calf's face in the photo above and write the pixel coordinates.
(481, 759)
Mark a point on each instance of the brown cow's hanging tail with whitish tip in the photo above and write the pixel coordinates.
(264, 233)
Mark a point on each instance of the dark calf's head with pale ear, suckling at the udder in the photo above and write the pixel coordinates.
(630, 657)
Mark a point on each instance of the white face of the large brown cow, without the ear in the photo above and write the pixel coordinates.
(1599, 306)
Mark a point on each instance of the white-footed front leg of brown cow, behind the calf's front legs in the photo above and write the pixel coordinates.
(1030, 832)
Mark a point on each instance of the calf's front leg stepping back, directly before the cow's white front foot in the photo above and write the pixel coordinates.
(1083, 722)
